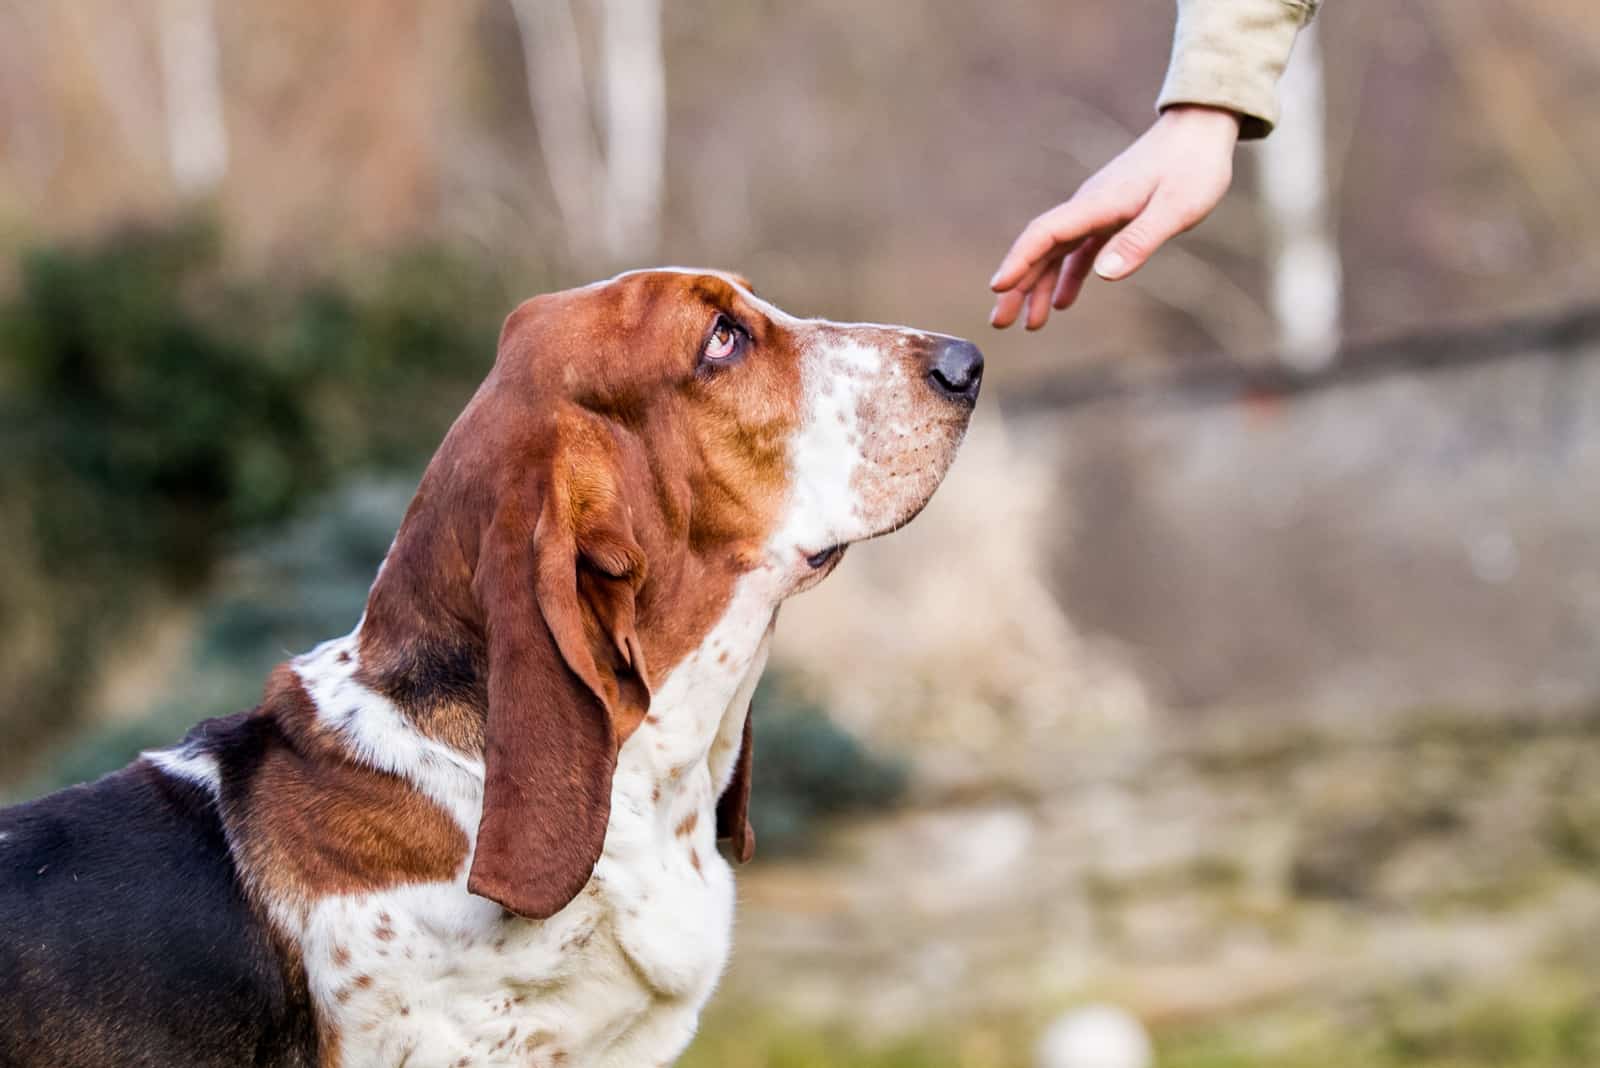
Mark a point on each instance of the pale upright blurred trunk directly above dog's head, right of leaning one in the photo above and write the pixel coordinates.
(636, 124)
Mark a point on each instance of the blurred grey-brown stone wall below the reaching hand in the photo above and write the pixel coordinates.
(1420, 530)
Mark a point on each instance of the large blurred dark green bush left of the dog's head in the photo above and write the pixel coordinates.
(153, 408)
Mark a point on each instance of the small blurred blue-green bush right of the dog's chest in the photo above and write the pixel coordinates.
(807, 770)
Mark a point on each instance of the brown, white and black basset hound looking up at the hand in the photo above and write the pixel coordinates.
(482, 827)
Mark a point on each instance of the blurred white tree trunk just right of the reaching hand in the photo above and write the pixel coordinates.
(1306, 271)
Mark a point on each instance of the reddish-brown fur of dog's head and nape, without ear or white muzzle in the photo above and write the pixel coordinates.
(586, 381)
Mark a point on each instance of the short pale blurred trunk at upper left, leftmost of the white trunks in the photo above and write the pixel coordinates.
(191, 78)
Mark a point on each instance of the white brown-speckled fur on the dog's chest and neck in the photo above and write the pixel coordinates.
(431, 976)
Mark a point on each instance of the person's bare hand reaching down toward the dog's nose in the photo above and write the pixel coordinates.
(1162, 185)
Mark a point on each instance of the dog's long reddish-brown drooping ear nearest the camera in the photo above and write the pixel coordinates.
(566, 687)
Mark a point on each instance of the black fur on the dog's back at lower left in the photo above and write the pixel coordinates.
(126, 934)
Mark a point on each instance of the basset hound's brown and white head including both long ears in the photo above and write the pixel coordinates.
(639, 448)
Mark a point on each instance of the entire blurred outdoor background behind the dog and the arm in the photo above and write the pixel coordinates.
(1244, 675)
